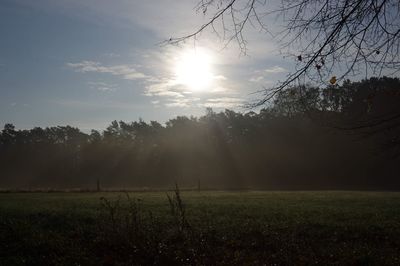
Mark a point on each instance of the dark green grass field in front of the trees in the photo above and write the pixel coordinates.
(200, 228)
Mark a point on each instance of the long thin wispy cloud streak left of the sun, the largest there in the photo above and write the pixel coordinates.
(128, 72)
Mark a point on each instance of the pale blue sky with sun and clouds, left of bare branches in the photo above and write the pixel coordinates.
(85, 63)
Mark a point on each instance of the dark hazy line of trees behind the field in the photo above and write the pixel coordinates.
(340, 137)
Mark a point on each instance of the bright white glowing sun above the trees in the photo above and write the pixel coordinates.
(193, 69)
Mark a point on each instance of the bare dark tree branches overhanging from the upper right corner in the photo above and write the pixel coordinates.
(329, 40)
